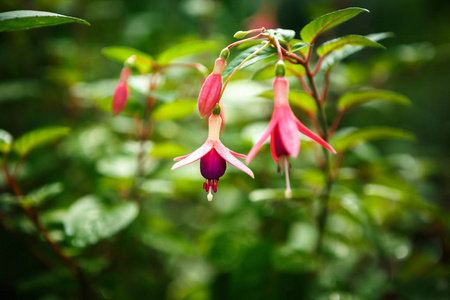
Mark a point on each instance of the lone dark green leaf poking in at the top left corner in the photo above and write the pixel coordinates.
(27, 19)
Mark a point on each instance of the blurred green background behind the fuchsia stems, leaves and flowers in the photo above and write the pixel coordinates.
(156, 236)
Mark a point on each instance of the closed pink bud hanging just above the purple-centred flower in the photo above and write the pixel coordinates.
(212, 86)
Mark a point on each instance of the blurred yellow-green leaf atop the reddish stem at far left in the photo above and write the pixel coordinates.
(39, 137)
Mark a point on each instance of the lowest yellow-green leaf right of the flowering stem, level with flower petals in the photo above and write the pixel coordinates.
(348, 141)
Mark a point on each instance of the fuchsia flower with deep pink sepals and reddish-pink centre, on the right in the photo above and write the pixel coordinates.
(283, 130)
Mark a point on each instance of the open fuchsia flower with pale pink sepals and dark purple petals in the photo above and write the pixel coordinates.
(213, 157)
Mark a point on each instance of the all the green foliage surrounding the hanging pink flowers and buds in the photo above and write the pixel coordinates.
(89, 208)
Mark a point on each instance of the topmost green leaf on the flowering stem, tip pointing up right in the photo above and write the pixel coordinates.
(310, 32)
